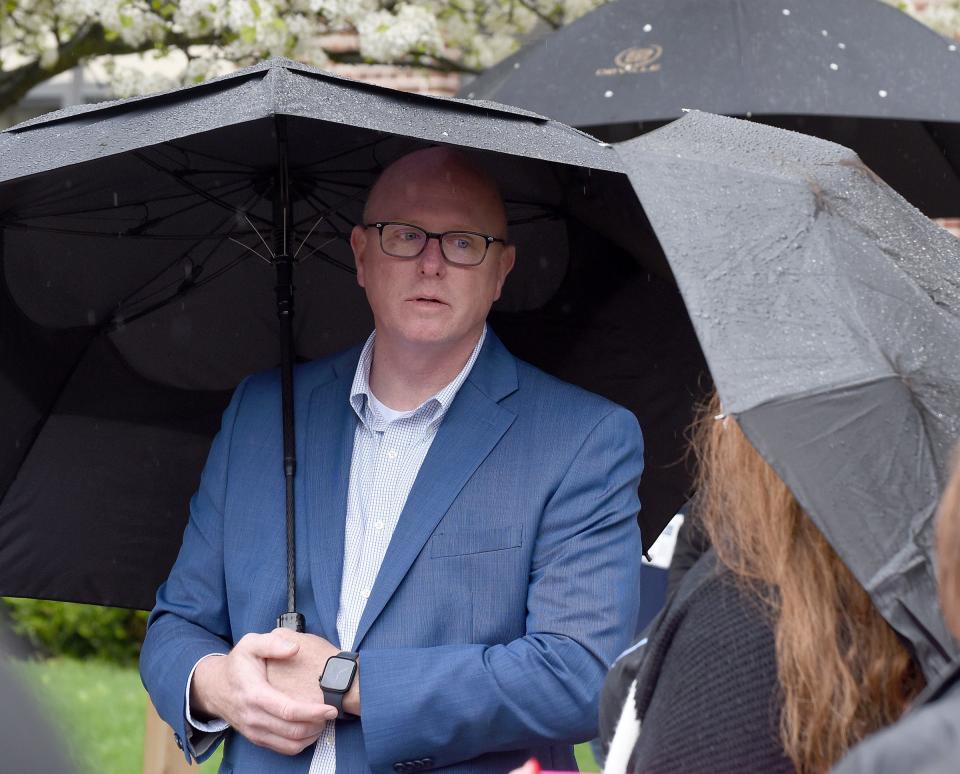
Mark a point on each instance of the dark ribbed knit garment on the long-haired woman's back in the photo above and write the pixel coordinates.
(706, 684)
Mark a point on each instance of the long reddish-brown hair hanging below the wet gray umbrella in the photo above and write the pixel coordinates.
(842, 671)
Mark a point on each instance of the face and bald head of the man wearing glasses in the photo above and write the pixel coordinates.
(426, 302)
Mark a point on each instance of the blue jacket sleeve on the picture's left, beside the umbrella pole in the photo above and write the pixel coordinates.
(190, 619)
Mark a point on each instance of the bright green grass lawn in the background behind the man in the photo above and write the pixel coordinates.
(99, 709)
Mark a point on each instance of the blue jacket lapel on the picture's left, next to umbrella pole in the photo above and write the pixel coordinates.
(331, 424)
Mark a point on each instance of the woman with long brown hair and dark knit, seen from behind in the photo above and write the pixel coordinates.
(770, 656)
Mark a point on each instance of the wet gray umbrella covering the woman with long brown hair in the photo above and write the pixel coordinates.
(829, 313)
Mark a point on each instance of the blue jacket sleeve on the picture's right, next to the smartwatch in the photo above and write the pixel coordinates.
(452, 703)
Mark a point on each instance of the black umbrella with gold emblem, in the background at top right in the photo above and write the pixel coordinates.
(859, 73)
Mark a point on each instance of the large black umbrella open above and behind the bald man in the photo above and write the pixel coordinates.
(142, 239)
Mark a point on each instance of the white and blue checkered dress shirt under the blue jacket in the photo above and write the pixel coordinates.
(387, 456)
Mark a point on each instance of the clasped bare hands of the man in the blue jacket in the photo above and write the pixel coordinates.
(267, 689)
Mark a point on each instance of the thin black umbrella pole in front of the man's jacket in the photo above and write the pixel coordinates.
(284, 288)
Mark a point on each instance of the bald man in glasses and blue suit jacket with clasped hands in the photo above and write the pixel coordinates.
(466, 539)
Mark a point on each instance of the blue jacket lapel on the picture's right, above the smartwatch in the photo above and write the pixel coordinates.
(473, 425)
